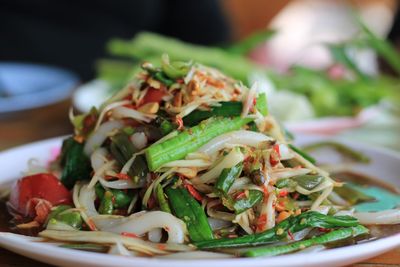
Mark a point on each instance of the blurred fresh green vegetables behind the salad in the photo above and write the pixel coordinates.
(340, 96)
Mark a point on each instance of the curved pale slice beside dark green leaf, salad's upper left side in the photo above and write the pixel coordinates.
(97, 138)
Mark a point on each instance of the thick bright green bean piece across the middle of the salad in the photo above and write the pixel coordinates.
(190, 140)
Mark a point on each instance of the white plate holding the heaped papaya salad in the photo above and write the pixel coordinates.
(385, 165)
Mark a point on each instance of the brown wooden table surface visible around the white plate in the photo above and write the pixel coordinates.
(51, 121)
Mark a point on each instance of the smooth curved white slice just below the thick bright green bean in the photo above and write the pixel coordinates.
(241, 137)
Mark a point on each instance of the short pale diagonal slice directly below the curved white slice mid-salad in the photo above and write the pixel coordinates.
(230, 160)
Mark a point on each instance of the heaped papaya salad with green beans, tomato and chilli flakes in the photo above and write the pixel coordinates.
(183, 162)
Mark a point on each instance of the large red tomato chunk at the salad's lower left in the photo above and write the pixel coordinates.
(39, 186)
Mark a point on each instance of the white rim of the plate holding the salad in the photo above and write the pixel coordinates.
(329, 257)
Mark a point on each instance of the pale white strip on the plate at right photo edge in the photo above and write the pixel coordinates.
(391, 216)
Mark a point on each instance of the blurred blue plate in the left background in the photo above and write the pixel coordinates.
(26, 86)
